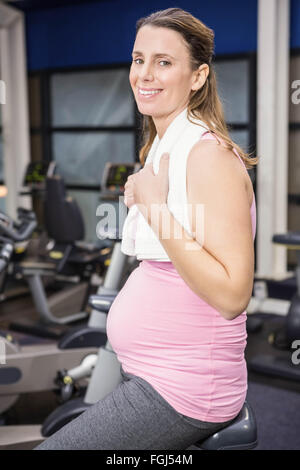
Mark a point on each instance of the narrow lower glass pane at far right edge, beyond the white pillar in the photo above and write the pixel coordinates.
(294, 162)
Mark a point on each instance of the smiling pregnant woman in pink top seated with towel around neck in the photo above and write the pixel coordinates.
(178, 326)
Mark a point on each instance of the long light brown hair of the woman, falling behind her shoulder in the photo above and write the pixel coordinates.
(205, 103)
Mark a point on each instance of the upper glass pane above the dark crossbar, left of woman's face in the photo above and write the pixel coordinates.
(102, 98)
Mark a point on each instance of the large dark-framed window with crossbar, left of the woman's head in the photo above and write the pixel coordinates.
(83, 119)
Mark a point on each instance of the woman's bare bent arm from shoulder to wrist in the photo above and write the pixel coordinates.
(221, 271)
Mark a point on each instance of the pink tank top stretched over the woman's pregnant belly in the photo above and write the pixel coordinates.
(164, 333)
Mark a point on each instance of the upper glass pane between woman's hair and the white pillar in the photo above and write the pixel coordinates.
(233, 86)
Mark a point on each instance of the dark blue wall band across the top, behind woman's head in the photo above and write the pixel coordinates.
(103, 33)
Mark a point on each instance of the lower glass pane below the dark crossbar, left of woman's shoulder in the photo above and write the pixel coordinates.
(82, 156)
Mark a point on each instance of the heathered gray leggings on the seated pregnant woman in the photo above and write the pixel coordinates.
(133, 416)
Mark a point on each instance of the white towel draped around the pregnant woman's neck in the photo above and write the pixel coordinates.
(138, 238)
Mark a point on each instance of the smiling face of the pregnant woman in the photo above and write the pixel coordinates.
(160, 75)
